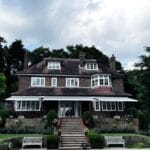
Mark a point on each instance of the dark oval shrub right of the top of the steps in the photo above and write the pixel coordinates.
(88, 119)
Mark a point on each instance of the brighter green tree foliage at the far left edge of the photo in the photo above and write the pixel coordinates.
(2, 84)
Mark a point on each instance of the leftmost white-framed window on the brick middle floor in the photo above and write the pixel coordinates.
(41, 83)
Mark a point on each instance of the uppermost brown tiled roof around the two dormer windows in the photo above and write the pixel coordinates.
(68, 67)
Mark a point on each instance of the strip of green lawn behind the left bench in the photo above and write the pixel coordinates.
(4, 137)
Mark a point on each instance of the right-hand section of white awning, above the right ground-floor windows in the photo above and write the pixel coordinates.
(116, 99)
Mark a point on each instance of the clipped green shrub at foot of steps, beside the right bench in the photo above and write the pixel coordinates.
(96, 140)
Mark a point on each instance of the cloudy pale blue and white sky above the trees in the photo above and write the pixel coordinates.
(121, 27)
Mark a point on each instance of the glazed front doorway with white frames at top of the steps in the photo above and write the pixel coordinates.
(68, 109)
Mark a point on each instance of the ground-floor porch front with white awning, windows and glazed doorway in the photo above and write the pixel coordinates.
(73, 106)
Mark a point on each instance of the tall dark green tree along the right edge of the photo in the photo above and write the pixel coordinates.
(139, 81)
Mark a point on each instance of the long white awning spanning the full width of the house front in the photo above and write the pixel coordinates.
(70, 98)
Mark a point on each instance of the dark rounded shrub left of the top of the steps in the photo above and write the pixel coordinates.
(51, 115)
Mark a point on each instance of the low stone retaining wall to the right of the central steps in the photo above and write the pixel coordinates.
(117, 124)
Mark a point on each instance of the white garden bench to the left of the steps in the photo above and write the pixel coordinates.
(32, 141)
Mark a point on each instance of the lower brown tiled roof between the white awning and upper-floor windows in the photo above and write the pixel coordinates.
(69, 92)
